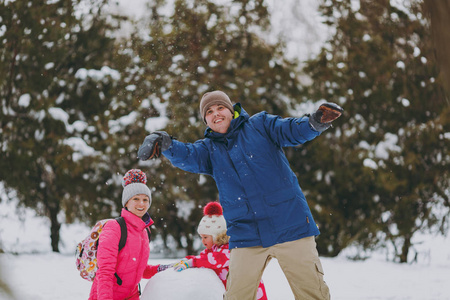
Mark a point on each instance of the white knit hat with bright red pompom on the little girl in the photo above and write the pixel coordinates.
(213, 223)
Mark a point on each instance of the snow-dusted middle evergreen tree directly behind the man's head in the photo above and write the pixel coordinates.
(201, 46)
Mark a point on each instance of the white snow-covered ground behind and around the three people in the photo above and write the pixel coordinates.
(40, 274)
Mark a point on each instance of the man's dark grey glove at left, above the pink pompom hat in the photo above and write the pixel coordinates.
(154, 144)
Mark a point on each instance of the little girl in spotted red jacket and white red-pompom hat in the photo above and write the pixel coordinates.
(216, 256)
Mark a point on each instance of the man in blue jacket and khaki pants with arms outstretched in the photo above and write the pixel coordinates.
(266, 212)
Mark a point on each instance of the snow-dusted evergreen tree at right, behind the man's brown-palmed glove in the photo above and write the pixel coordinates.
(391, 172)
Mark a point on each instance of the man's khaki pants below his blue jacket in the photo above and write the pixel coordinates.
(299, 261)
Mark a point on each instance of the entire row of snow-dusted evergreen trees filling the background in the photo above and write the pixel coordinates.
(77, 102)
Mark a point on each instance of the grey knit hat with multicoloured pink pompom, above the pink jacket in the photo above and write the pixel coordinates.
(134, 183)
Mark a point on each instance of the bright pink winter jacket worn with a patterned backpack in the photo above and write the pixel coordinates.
(130, 263)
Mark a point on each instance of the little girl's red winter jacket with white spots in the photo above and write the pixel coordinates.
(218, 259)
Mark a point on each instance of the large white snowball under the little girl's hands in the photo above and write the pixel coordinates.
(196, 283)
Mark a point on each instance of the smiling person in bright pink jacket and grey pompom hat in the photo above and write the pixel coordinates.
(119, 273)
